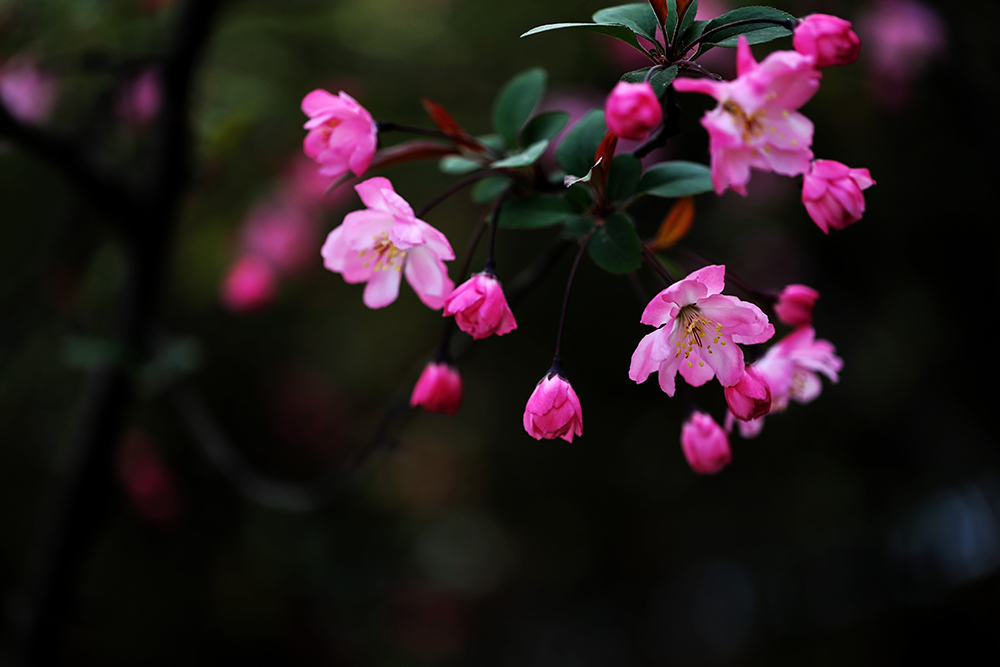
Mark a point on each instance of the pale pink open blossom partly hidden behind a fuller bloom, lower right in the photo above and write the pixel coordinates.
(792, 368)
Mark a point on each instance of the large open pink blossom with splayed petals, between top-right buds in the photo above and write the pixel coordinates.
(756, 123)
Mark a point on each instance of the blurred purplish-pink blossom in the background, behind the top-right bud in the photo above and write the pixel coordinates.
(902, 38)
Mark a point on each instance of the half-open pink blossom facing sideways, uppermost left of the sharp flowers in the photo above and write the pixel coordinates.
(342, 134)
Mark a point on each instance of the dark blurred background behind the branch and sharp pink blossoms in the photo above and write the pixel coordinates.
(863, 528)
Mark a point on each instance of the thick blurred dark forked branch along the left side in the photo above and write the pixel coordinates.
(85, 493)
